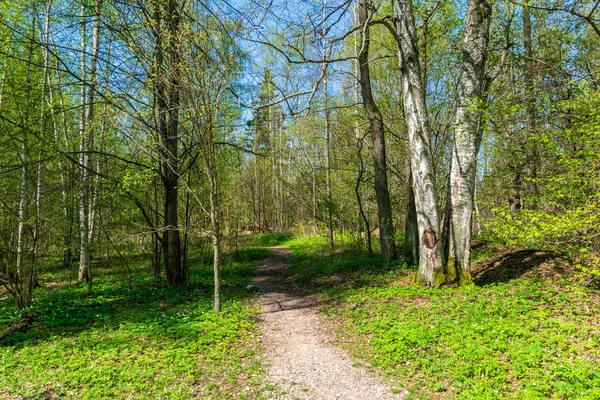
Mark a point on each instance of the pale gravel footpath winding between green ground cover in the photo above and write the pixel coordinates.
(302, 362)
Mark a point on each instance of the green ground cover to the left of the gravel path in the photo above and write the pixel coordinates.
(136, 342)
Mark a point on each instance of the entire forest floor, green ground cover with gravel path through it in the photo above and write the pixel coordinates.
(528, 329)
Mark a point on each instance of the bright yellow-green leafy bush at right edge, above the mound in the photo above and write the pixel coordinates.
(568, 215)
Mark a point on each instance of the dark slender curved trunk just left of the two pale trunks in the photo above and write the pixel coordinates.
(384, 206)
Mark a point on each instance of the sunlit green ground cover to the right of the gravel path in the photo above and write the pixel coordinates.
(529, 335)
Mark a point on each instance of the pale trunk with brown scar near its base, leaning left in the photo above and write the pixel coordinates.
(431, 256)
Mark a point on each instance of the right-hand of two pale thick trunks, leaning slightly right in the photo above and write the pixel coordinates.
(467, 139)
